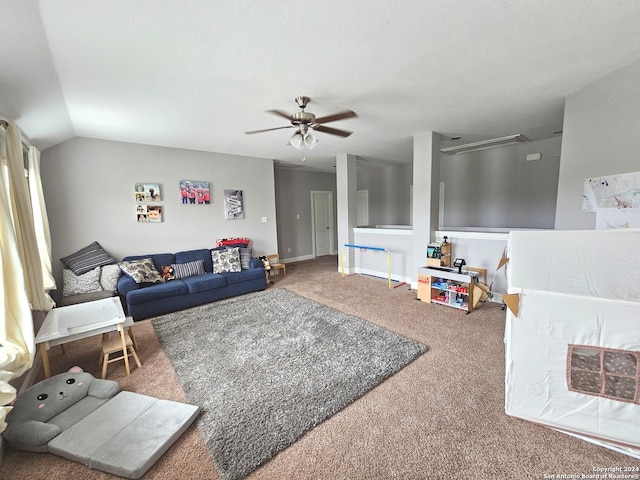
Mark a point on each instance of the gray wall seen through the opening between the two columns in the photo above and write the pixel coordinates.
(388, 188)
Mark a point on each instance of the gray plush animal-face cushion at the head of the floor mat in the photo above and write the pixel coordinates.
(53, 405)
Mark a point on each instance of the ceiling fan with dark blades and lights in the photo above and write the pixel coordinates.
(304, 121)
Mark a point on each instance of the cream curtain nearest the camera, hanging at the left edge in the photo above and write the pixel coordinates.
(21, 280)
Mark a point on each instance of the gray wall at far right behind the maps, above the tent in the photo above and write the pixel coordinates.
(601, 137)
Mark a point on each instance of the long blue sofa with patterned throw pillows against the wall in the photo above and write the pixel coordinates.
(144, 300)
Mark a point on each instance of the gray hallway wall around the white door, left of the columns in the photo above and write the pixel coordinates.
(293, 197)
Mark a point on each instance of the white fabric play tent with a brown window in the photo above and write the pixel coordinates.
(573, 340)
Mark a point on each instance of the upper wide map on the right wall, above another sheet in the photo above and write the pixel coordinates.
(613, 191)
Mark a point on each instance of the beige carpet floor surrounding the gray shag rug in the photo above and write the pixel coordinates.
(442, 417)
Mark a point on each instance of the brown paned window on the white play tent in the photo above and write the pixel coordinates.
(604, 372)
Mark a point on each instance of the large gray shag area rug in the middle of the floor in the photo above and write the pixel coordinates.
(269, 366)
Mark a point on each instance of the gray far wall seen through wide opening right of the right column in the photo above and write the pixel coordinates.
(499, 188)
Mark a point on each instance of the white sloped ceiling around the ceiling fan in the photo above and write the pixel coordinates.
(196, 74)
